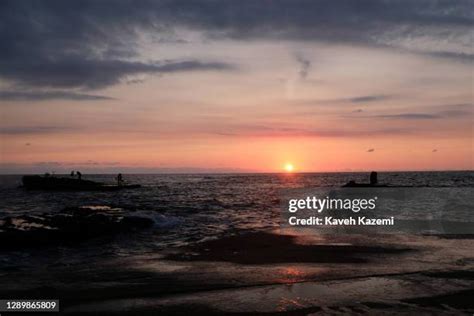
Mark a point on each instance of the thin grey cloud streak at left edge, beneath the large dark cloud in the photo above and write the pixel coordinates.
(48, 95)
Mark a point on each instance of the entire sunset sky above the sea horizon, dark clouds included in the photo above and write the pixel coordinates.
(184, 86)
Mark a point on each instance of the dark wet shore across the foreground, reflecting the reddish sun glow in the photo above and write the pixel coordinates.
(233, 275)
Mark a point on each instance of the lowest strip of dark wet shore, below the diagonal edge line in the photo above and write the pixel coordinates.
(373, 295)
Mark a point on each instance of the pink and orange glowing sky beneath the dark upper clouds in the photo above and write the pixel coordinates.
(247, 104)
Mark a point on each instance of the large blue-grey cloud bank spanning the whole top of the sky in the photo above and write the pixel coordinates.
(94, 44)
